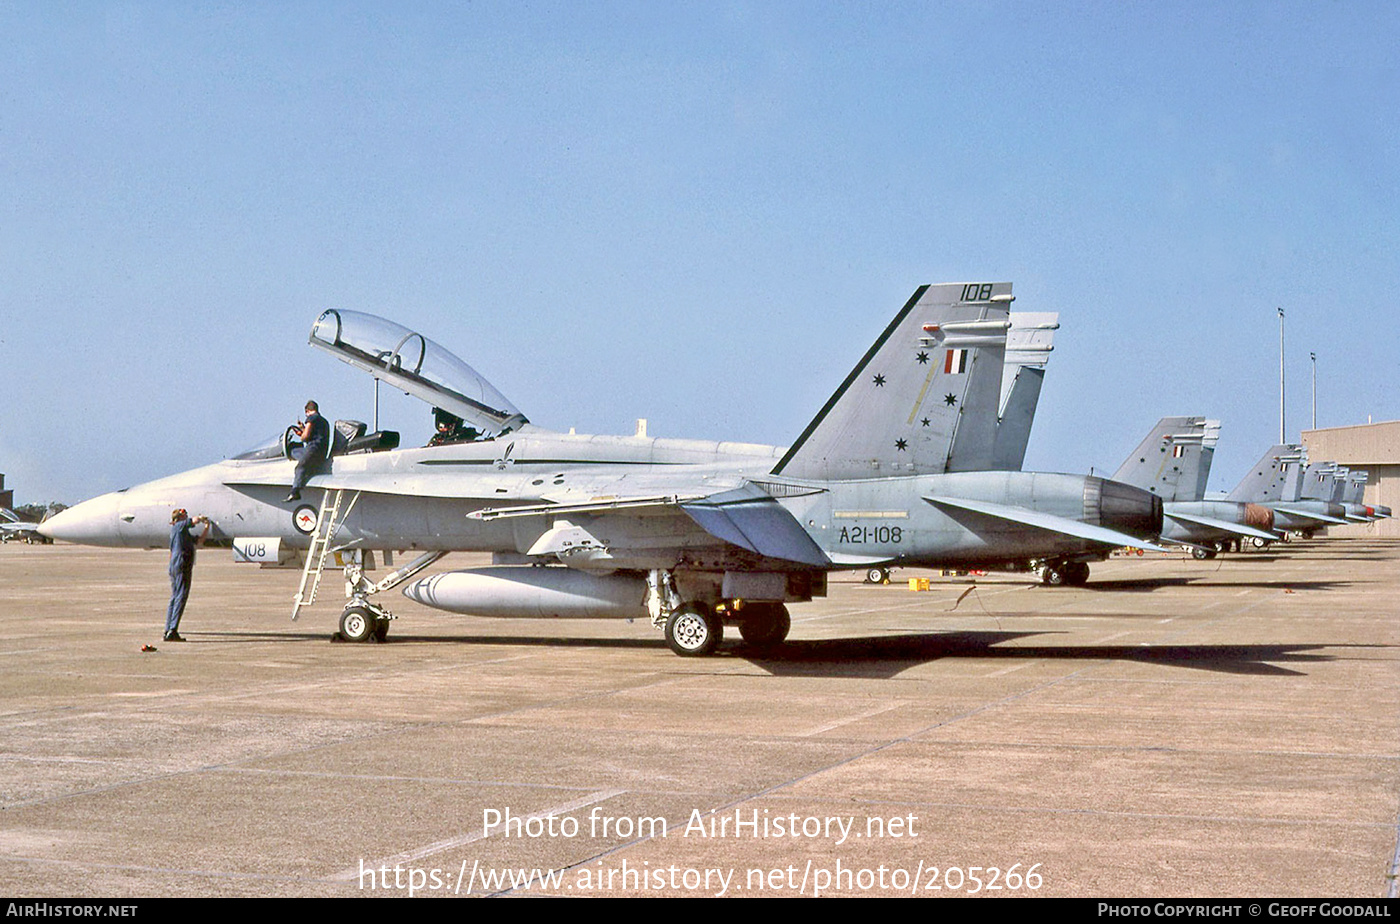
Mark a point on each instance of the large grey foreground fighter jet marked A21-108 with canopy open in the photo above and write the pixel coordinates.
(692, 535)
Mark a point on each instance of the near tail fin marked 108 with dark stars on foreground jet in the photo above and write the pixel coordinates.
(923, 400)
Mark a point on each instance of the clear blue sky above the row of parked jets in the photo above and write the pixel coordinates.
(695, 213)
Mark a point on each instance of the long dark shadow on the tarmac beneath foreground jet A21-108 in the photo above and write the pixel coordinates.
(890, 656)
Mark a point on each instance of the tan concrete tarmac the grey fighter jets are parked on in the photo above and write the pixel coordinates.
(1175, 729)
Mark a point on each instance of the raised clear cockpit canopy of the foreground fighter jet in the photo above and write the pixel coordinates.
(418, 366)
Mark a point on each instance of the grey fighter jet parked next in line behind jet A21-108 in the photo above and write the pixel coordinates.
(1175, 463)
